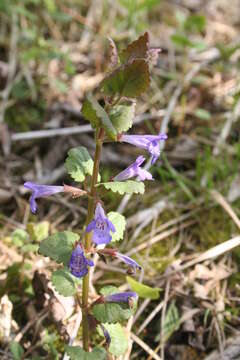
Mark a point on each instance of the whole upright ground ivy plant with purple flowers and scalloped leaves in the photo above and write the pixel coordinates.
(127, 78)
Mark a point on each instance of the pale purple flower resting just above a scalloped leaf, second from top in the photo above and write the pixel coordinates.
(134, 170)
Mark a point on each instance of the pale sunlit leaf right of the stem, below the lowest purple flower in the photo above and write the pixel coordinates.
(119, 341)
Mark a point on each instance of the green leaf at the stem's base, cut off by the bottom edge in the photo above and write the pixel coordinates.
(77, 353)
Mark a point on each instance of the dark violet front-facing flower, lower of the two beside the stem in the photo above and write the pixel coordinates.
(78, 263)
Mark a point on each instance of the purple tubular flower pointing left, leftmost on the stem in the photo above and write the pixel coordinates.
(40, 191)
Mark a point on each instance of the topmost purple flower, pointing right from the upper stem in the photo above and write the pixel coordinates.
(147, 142)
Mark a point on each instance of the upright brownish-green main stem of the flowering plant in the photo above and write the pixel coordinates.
(88, 237)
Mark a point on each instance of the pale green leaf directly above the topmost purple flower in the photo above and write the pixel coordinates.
(122, 117)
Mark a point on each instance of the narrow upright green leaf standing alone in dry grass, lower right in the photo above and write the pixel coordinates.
(171, 322)
